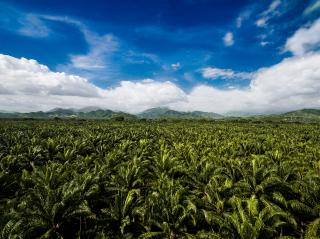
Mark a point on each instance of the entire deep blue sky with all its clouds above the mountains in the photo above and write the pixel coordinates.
(223, 56)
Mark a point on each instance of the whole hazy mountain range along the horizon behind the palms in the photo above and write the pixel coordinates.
(153, 113)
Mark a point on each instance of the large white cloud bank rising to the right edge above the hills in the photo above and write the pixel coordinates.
(292, 84)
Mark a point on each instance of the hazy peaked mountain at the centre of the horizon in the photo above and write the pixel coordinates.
(166, 113)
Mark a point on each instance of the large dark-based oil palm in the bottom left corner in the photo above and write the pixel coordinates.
(54, 204)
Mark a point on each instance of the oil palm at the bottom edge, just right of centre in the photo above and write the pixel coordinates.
(168, 212)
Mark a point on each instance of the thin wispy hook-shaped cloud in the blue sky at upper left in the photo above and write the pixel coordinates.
(36, 25)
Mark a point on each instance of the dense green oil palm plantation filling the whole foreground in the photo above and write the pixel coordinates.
(94, 179)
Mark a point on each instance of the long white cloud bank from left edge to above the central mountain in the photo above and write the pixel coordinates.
(26, 85)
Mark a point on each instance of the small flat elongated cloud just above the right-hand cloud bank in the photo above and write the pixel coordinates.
(214, 73)
